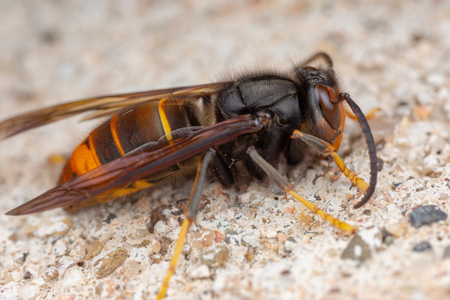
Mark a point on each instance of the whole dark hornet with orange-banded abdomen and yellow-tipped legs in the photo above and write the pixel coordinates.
(251, 123)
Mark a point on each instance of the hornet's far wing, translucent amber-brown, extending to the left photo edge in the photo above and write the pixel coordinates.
(102, 105)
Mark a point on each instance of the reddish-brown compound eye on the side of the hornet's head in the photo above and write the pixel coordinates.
(329, 105)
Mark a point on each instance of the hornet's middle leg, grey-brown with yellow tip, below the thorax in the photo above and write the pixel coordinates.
(284, 186)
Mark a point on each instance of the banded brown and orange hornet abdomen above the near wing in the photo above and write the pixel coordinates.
(124, 132)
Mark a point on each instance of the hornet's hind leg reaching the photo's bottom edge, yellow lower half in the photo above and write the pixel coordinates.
(191, 214)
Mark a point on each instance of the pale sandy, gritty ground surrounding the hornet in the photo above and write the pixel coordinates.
(390, 54)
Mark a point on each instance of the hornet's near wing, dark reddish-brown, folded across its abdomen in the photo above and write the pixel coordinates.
(146, 161)
